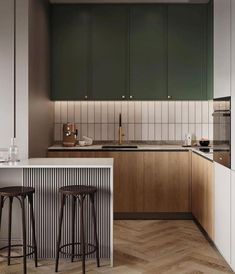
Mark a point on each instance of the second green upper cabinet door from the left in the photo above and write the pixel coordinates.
(109, 53)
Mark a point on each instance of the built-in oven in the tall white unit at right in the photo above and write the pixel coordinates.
(222, 131)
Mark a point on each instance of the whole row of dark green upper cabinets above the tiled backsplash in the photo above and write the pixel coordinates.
(134, 51)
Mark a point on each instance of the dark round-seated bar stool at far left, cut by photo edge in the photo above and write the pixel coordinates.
(20, 193)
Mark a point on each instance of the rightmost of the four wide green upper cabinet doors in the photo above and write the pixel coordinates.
(187, 52)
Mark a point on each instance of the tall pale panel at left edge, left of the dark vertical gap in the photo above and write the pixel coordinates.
(6, 71)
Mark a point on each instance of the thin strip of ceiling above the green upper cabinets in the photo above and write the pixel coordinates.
(129, 1)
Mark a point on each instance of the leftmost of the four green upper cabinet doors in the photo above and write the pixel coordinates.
(69, 48)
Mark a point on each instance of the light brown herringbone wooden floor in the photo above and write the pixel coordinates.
(153, 247)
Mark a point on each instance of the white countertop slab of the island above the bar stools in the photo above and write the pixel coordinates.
(61, 163)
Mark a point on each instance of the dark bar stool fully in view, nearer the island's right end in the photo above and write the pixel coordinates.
(78, 193)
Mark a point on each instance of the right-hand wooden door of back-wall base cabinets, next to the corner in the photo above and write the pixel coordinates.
(166, 182)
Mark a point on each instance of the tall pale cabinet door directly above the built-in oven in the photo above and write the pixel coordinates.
(222, 48)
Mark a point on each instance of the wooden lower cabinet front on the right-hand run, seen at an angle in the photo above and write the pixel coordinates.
(203, 193)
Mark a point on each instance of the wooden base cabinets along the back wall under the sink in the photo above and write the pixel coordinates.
(146, 181)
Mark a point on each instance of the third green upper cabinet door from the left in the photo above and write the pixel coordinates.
(148, 52)
